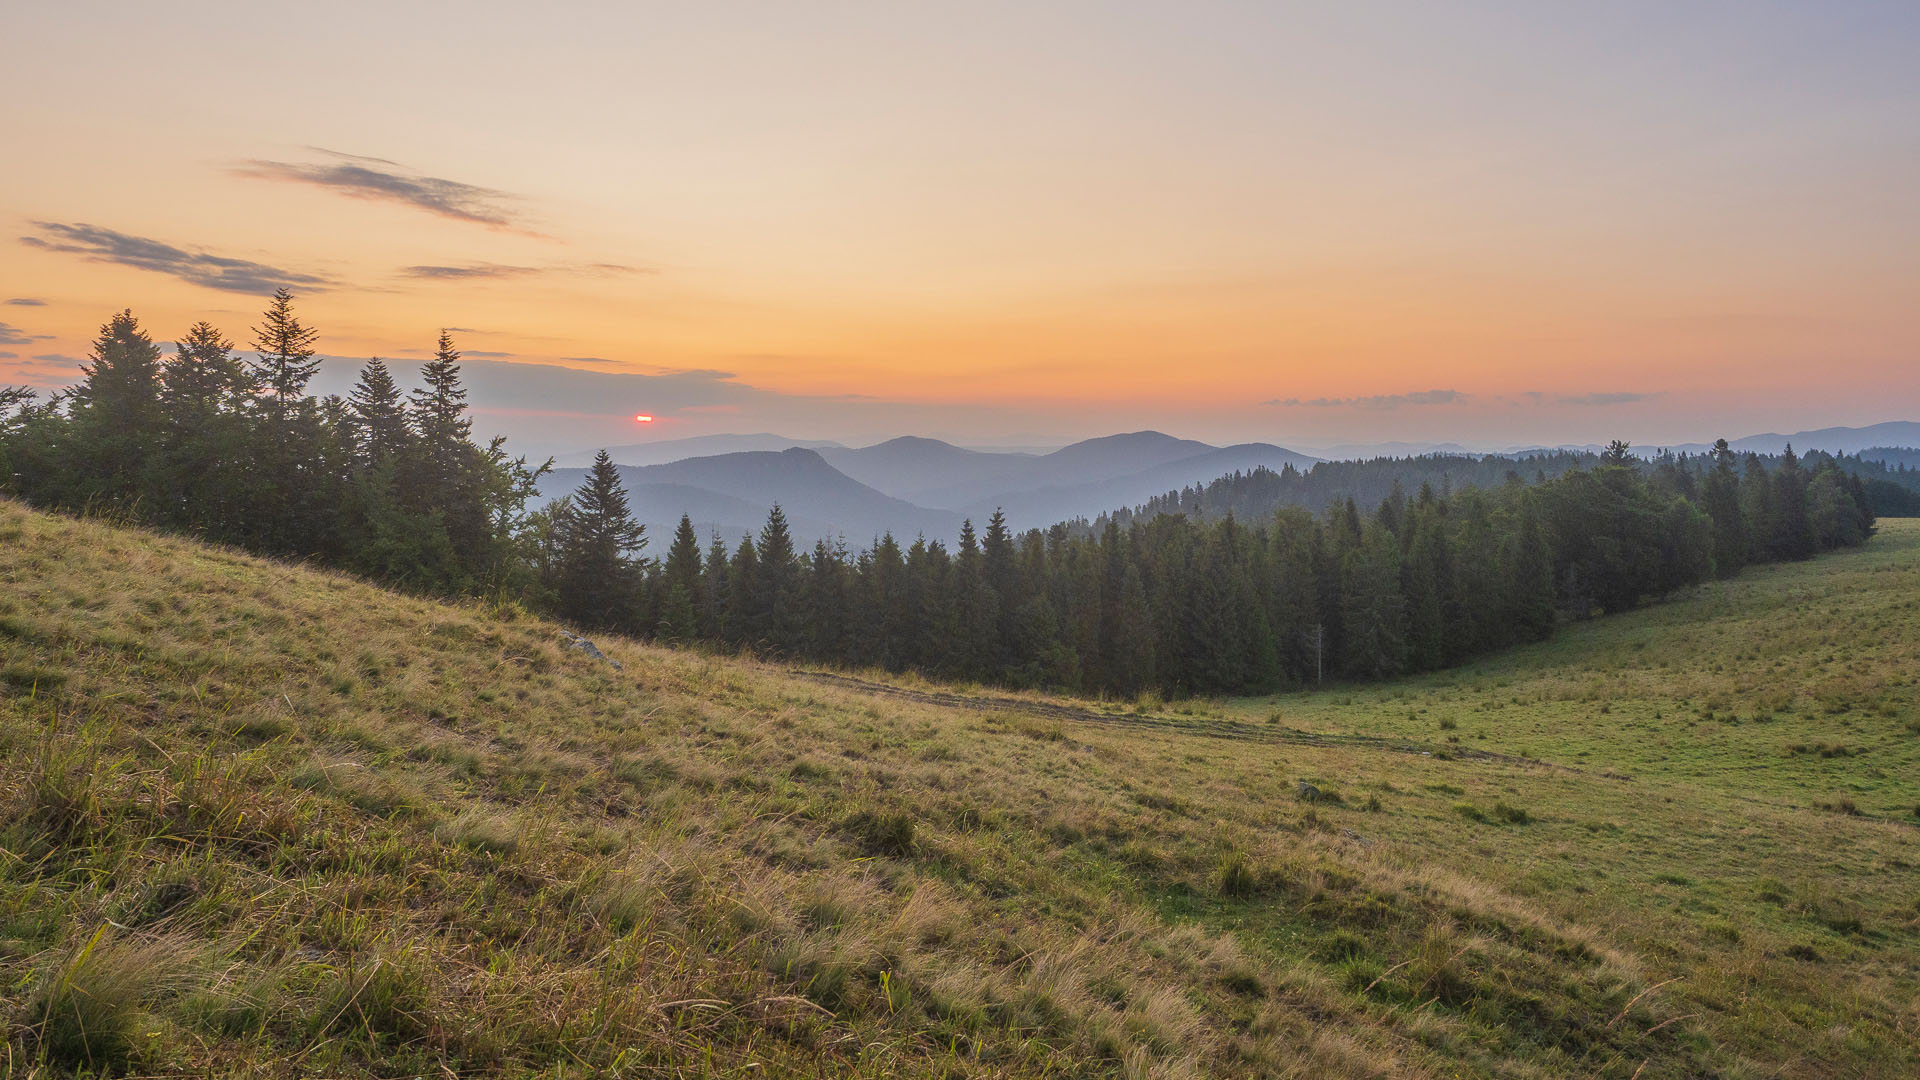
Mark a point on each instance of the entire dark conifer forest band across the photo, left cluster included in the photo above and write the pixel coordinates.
(1243, 591)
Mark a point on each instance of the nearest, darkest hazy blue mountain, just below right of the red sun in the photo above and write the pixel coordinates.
(734, 493)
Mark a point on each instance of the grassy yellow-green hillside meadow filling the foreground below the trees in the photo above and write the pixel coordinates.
(274, 822)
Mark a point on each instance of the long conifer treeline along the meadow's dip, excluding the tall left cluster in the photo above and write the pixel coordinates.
(1228, 606)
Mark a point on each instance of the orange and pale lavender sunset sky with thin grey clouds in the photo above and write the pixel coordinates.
(999, 224)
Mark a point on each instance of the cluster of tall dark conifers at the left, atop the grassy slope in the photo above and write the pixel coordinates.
(235, 451)
